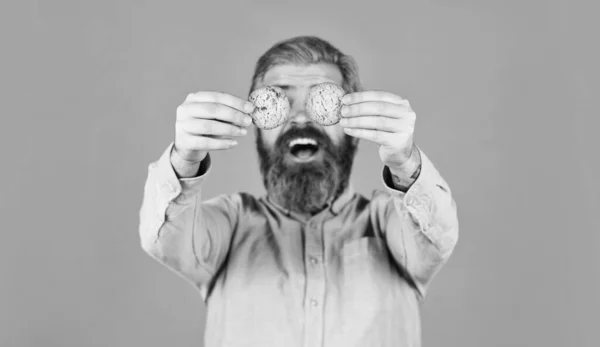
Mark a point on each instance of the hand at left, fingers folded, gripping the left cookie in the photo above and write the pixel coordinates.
(209, 121)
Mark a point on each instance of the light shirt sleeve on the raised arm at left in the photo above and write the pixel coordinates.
(188, 235)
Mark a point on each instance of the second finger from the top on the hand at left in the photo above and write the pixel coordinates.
(212, 110)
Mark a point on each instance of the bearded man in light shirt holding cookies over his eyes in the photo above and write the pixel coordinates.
(312, 262)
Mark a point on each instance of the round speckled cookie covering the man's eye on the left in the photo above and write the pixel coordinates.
(271, 107)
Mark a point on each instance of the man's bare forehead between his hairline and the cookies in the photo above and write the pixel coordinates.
(291, 74)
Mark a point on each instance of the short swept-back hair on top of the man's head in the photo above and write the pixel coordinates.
(306, 50)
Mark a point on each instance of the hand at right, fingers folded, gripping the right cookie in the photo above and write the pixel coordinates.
(383, 118)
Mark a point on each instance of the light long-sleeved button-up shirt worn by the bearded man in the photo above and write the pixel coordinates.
(351, 275)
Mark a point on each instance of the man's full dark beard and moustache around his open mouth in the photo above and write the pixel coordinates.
(305, 187)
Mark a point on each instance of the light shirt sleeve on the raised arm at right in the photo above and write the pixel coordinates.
(421, 225)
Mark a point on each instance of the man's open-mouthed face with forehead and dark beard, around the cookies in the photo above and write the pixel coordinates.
(304, 165)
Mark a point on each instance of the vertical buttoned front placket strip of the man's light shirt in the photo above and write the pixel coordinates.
(315, 285)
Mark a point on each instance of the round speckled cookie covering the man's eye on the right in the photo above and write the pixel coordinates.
(324, 103)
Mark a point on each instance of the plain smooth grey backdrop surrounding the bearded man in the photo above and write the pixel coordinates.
(505, 94)
